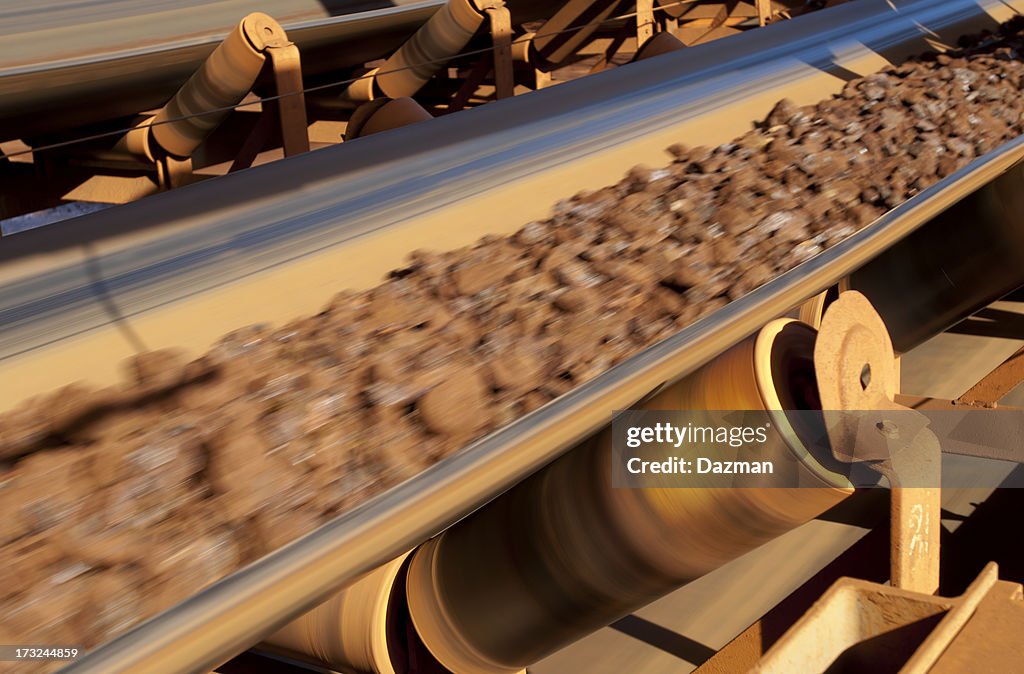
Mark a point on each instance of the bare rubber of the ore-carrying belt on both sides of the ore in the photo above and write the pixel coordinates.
(196, 252)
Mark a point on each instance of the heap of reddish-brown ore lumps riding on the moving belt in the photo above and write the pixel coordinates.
(119, 503)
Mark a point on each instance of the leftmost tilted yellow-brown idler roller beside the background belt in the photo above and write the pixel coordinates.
(225, 79)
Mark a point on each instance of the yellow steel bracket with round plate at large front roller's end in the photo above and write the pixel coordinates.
(856, 369)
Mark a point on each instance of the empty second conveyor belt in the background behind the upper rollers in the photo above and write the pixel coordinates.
(79, 63)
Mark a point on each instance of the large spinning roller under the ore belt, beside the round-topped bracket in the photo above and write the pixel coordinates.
(565, 554)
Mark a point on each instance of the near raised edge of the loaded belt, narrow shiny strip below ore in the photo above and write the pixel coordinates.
(254, 603)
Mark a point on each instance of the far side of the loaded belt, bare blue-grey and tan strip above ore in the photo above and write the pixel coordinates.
(181, 269)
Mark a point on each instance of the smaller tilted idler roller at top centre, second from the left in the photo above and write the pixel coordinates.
(444, 36)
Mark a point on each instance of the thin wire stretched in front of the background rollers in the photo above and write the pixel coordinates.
(329, 86)
